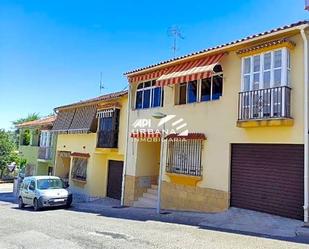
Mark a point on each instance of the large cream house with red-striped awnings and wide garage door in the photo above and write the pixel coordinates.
(235, 131)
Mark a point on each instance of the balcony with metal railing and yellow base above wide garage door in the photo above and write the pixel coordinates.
(265, 107)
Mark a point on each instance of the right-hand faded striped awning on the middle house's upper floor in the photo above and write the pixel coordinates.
(83, 119)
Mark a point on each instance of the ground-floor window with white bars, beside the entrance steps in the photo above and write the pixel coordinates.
(184, 156)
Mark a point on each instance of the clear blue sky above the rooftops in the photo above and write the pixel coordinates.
(52, 51)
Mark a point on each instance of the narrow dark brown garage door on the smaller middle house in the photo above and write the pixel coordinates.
(114, 183)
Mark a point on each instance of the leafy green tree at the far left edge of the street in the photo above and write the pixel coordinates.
(8, 152)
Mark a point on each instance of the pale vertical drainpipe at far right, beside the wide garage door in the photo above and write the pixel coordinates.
(306, 122)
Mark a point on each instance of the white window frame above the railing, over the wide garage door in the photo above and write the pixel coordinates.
(284, 68)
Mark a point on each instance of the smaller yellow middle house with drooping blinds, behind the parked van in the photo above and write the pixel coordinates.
(91, 145)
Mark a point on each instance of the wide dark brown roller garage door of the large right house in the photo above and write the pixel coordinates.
(268, 178)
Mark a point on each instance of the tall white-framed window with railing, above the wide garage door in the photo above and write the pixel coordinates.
(266, 78)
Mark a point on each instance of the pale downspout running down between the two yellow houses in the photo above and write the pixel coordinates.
(126, 147)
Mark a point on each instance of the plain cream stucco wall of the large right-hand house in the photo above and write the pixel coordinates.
(217, 120)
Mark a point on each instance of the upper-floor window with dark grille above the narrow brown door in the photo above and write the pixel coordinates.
(108, 128)
